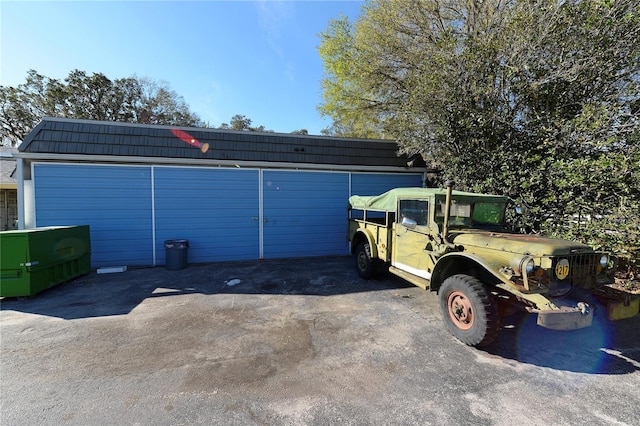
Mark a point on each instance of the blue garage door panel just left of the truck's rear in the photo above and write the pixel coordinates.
(305, 213)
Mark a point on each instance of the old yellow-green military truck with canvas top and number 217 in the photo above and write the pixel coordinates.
(459, 245)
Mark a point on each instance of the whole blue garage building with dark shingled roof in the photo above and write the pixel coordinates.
(249, 196)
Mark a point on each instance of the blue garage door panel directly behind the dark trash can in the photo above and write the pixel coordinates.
(217, 210)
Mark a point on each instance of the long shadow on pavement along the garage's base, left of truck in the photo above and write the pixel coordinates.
(97, 295)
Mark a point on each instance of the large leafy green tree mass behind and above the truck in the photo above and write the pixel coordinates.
(537, 99)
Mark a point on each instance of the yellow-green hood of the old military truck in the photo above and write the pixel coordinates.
(533, 245)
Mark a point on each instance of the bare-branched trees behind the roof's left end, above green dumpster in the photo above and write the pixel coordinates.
(133, 100)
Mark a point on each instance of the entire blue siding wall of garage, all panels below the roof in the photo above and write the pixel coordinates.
(216, 209)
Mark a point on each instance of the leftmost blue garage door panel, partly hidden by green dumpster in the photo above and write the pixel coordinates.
(114, 200)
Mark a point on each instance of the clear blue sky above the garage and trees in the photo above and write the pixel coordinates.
(255, 58)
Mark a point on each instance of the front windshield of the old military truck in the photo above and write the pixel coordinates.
(468, 214)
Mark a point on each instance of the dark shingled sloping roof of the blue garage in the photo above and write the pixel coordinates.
(99, 138)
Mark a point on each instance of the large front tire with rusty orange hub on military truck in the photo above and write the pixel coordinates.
(469, 311)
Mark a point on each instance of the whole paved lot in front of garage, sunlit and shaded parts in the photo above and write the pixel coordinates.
(294, 342)
